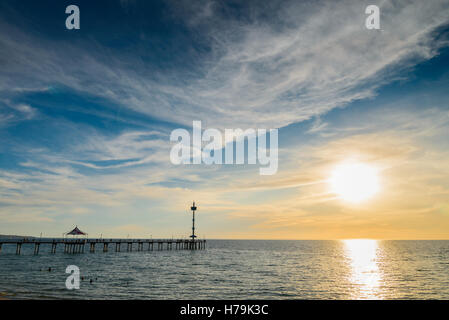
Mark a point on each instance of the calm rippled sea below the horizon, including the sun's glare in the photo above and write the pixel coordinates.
(234, 269)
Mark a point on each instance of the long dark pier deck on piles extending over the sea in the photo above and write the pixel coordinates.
(79, 245)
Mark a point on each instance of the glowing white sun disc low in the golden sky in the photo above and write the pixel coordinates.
(354, 181)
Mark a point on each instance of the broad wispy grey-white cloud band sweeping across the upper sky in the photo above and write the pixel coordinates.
(303, 61)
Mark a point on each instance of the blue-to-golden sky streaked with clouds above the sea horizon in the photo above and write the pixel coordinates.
(86, 117)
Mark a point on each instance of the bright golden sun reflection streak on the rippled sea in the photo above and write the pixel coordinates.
(365, 275)
